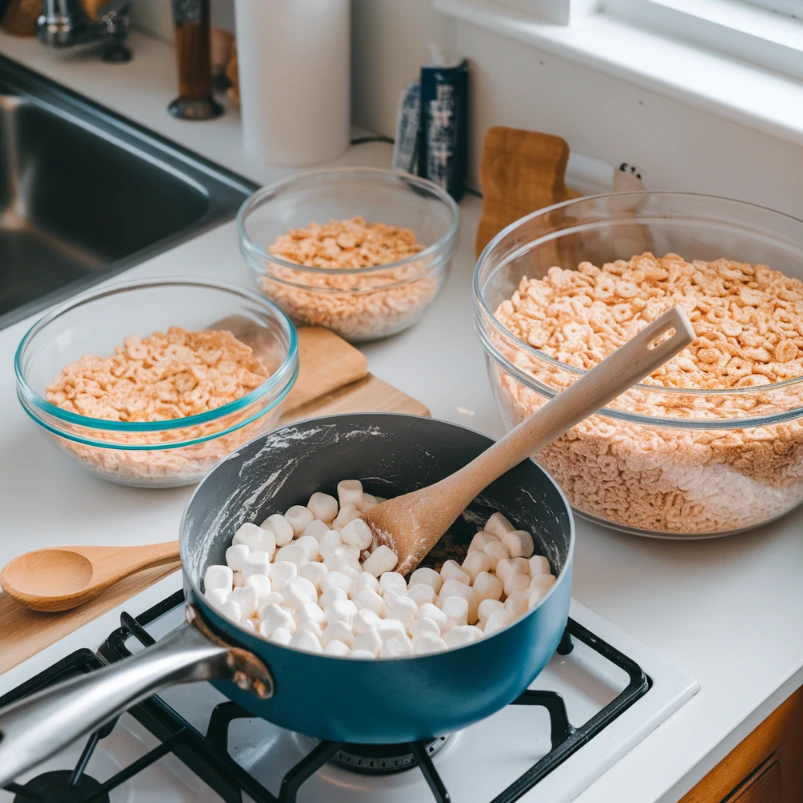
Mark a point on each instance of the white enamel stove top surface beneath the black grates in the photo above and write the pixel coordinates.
(476, 764)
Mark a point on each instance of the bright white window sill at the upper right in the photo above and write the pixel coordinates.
(723, 85)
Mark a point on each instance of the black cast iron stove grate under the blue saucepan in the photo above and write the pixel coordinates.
(207, 754)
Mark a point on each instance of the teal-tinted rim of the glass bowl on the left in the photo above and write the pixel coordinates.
(279, 379)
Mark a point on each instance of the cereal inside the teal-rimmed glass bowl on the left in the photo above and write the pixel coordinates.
(161, 377)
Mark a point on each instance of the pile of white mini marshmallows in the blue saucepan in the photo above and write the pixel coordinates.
(314, 579)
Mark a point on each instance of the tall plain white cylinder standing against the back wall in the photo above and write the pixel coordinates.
(294, 64)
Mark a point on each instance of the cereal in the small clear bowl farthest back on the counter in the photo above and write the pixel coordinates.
(358, 305)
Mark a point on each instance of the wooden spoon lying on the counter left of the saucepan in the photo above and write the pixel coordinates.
(60, 578)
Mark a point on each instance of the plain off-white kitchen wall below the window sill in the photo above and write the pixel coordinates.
(604, 118)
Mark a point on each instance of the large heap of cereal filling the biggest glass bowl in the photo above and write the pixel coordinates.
(749, 325)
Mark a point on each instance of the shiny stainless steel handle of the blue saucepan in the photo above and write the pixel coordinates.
(38, 726)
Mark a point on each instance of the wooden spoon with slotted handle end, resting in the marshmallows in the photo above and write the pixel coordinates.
(412, 524)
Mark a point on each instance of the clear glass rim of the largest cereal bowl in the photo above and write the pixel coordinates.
(481, 306)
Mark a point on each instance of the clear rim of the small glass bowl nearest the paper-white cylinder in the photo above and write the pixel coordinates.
(251, 250)
